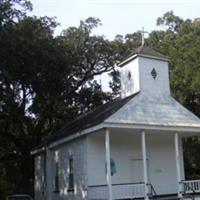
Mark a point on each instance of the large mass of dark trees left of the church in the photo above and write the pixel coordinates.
(44, 82)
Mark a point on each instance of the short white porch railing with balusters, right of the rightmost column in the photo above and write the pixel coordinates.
(191, 186)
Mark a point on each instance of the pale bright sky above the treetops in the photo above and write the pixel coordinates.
(117, 16)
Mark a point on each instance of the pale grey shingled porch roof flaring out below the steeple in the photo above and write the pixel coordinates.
(161, 110)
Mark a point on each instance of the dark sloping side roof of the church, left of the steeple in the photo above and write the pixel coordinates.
(91, 119)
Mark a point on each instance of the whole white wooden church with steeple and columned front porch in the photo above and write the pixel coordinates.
(129, 148)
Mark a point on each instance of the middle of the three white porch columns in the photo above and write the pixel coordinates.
(144, 158)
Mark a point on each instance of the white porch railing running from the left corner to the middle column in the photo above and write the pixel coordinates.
(120, 191)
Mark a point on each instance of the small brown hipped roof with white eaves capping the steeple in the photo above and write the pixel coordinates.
(144, 51)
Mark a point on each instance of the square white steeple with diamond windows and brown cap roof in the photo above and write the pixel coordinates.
(145, 70)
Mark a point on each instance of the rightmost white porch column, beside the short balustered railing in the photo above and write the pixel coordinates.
(178, 169)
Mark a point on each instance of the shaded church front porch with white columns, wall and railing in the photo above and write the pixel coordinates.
(133, 175)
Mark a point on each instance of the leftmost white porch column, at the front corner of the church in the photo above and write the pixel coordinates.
(108, 167)
